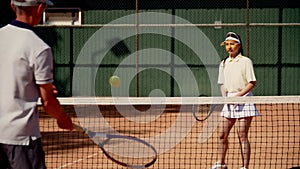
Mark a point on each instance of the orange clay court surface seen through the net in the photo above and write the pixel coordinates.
(274, 137)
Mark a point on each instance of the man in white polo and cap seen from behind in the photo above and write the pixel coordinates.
(26, 74)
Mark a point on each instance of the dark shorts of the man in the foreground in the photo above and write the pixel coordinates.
(22, 157)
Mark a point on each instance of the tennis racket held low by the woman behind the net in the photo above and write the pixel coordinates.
(200, 114)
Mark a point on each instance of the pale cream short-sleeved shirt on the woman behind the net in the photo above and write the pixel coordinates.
(236, 73)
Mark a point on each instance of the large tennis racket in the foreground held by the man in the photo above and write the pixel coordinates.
(127, 151)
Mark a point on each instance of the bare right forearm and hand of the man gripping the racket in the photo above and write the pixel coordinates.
(52, 106)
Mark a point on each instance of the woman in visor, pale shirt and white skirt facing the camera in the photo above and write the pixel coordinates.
(236, 78)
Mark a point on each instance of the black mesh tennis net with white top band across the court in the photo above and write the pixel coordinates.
(168, 123)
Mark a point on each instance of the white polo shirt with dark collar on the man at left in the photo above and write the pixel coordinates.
(25, 62)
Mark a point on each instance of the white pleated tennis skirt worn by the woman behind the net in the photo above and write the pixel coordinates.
(239, 110)
